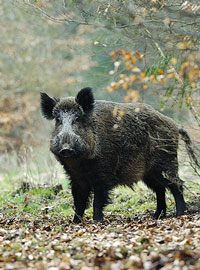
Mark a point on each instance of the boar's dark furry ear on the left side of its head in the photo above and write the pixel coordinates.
(47, 105)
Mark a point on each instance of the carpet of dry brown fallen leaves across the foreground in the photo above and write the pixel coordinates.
(140, 243)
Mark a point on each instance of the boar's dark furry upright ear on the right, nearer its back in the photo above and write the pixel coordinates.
(85, 99)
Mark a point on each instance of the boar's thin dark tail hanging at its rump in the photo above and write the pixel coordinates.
(189, 147)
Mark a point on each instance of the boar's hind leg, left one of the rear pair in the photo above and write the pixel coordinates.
(155, 185)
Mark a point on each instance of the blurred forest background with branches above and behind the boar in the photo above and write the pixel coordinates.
(127, 51)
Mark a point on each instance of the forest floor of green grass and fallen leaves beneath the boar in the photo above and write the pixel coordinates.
(36, 232)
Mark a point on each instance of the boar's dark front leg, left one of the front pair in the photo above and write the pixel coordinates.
(81, 196)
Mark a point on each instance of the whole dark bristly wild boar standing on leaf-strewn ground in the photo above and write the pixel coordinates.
(105, 144)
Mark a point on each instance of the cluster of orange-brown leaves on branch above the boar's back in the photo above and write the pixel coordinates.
(173, 71)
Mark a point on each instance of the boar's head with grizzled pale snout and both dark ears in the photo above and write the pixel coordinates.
(73, 135)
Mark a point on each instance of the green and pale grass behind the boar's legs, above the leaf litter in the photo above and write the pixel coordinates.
(36, 185)
